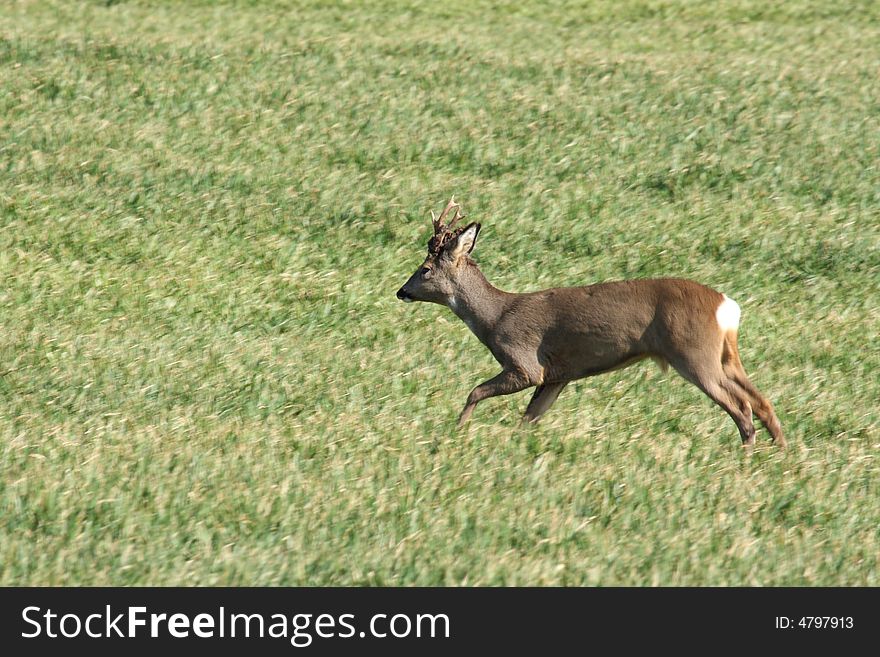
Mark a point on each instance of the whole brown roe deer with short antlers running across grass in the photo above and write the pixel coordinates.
(546, 339)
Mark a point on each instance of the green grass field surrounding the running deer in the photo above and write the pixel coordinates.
(206, 210)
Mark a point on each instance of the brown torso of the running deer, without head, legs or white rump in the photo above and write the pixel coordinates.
(563, 334)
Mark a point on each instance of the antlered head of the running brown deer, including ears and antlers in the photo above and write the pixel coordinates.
(437, 279)
